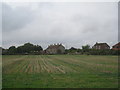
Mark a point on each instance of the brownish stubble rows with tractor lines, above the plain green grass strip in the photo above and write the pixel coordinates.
(53, 64)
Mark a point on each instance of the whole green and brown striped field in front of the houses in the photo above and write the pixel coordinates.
(59, 71)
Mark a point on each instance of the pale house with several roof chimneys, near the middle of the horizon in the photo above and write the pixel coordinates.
(55, 49)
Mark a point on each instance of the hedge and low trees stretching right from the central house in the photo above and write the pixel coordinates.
(86, 50)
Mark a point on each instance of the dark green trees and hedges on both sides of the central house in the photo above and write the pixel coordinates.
(31, 49)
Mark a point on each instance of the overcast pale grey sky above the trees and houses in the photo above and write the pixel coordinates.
(72, 24)
